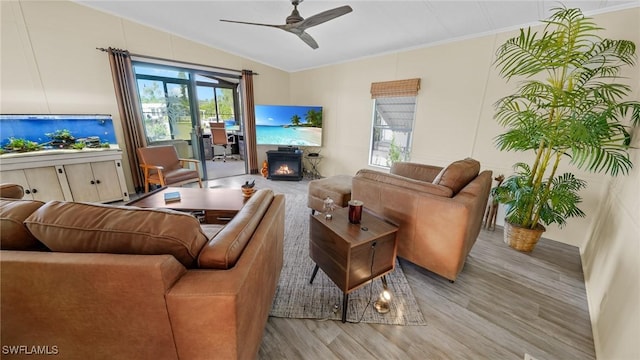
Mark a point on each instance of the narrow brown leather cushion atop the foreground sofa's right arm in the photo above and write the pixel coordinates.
(225, 248)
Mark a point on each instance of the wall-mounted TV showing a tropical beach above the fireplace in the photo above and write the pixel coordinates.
(288, 125)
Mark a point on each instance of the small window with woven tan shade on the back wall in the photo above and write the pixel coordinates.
(394, 104)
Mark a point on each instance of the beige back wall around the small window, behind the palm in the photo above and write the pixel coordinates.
(454, 115)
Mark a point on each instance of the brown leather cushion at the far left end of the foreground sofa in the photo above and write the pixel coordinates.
(14, 235)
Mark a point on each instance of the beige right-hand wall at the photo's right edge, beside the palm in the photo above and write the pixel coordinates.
(611, 252)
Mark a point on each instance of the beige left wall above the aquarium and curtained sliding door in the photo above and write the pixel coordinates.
(50, 65)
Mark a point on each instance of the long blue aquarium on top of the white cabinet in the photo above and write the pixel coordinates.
(92, 130)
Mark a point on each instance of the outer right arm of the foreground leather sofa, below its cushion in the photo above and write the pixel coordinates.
(222, 313)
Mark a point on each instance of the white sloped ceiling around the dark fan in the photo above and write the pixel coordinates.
(373, 28)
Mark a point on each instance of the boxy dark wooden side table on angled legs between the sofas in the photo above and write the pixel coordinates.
(351, 254)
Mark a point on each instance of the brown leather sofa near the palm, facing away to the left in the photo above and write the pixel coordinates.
(438, 211)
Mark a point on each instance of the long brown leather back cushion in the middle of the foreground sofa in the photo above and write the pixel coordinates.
(97, 228)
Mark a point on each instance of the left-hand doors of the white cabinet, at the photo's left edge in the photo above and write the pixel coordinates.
(38, 183)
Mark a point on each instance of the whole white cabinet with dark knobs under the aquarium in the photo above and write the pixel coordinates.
(71, 175)
